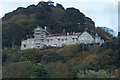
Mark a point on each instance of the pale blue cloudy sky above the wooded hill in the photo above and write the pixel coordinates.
(102, 12)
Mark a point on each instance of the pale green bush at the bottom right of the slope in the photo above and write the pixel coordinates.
(94, 74)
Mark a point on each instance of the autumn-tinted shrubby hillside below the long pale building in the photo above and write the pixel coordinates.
(71, 61)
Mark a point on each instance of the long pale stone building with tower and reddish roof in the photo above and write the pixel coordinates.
(42, 38)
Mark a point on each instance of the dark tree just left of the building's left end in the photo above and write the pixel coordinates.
(12, 35)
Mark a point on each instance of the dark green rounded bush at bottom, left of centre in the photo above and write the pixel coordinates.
(40, 71)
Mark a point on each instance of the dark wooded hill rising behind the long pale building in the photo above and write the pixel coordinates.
(22, 21)
